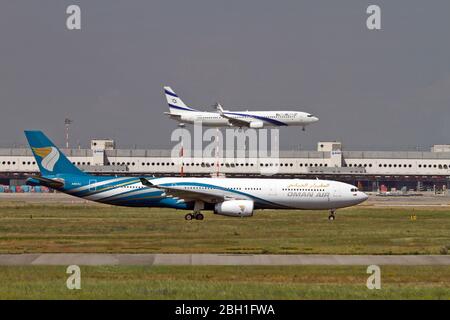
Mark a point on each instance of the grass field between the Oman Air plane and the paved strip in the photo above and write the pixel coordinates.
(26, 228)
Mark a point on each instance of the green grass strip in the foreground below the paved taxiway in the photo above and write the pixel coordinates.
(225, 282)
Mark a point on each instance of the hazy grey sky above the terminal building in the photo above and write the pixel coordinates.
(387, 89)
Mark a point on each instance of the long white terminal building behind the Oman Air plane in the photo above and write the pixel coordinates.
(369, 170)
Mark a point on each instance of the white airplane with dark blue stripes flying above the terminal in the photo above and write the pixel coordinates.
(182, 113)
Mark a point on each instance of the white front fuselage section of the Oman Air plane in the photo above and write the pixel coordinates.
(274, 193)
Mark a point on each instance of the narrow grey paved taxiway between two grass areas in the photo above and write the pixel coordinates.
(65, 259)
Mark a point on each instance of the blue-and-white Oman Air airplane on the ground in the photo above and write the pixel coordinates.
(234, 197)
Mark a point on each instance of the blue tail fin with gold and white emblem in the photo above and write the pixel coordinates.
(50, 159)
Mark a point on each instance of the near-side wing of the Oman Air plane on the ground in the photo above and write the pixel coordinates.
(188, 195)
